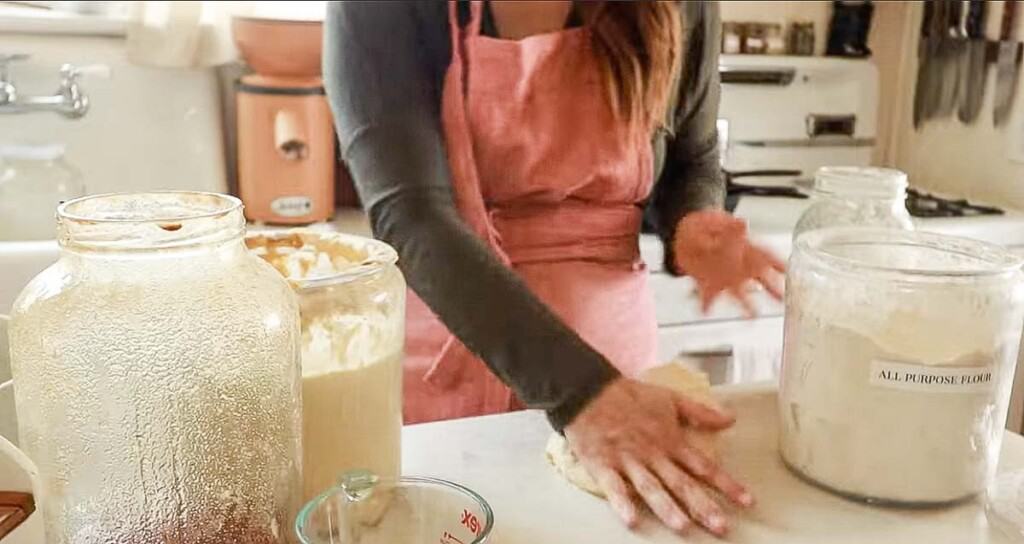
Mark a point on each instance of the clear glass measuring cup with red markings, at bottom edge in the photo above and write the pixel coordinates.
(367, 510)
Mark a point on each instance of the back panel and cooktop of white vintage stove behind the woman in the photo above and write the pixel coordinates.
(794, 113)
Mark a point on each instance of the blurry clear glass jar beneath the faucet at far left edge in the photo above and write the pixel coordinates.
(34, 180)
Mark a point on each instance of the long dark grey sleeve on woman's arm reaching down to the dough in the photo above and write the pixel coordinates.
(381, 68)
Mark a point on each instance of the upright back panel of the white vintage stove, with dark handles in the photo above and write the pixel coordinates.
(796, 113)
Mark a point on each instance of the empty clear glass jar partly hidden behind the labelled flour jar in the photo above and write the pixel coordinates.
(857, 196)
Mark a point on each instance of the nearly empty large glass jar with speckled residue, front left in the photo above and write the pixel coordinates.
(157, 378)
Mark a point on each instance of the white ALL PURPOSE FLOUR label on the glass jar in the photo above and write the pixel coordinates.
(923, 379)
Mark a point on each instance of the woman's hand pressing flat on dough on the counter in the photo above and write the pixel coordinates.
(631, 441)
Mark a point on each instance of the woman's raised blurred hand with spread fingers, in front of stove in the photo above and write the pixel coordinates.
(712, 247)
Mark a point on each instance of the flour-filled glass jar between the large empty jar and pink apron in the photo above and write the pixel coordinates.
(353, 303)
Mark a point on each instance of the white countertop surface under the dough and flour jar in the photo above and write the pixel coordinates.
(502, 458)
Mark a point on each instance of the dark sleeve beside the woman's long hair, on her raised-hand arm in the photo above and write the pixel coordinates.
(693, 178)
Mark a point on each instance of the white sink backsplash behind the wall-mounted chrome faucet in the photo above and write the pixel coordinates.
(148, 129)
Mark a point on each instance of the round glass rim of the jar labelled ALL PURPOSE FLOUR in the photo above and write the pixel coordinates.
(992, 261)
